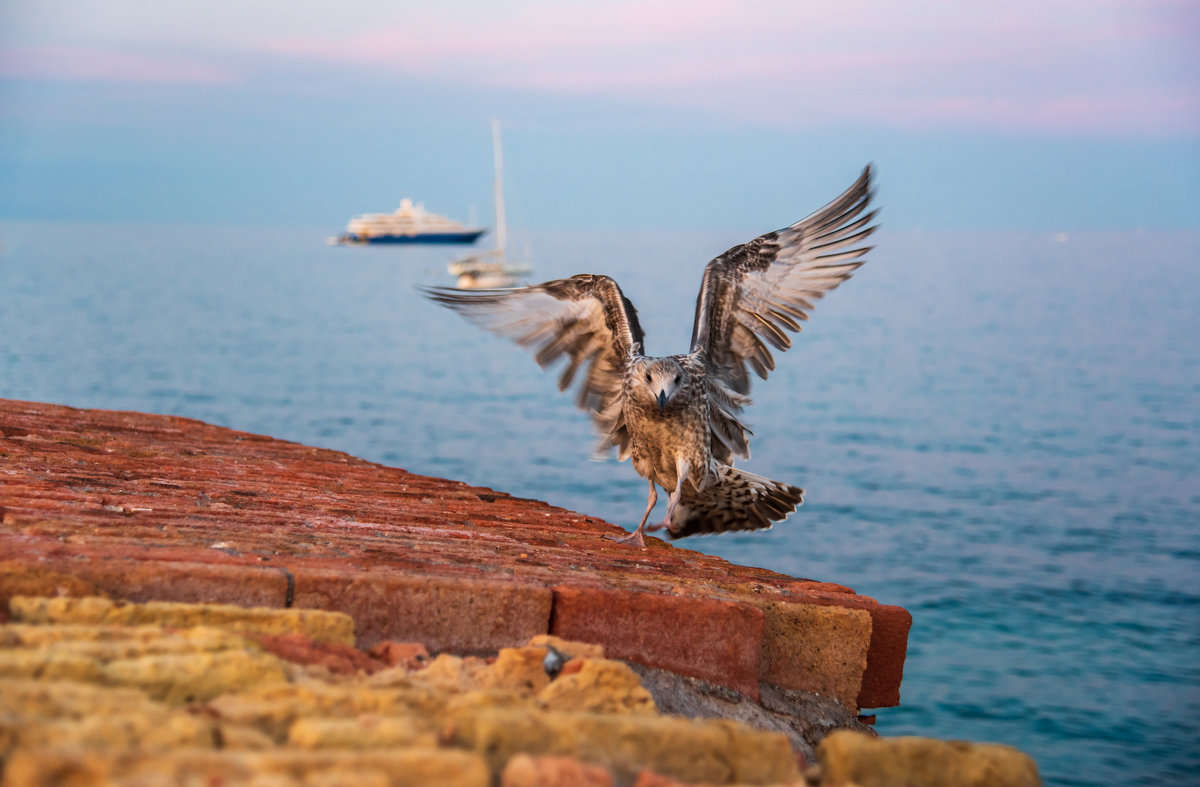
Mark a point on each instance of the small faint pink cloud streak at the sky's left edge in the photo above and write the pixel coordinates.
(88, 64)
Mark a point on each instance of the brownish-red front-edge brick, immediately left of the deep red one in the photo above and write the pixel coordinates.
(464, 616)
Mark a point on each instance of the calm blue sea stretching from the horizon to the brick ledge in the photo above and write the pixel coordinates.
(999, 432)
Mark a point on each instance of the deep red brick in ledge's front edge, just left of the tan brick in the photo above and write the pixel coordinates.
(711, 640)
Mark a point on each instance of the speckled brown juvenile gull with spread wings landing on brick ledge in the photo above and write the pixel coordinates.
(679, 416)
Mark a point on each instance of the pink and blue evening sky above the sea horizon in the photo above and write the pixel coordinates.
(649, 115)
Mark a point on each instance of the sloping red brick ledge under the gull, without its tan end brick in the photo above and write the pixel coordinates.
(157, 508)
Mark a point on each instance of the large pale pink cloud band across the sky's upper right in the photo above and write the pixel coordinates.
(1057, 67)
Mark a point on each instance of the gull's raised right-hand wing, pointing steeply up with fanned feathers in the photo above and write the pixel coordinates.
(755, 293)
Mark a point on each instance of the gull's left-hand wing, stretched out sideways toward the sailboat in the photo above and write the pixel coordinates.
(585, 319)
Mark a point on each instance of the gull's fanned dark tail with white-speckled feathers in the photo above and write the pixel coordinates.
(736, 501)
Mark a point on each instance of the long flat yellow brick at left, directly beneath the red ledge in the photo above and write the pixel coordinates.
(321, 626)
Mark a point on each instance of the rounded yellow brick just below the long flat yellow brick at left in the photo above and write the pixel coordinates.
(195, 677)
